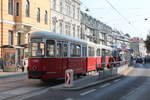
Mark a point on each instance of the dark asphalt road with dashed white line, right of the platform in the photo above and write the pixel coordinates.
(135, 86)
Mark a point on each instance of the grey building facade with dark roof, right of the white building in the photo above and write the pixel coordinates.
(94, 30)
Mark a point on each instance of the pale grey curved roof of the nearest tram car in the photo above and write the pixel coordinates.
(53, 35)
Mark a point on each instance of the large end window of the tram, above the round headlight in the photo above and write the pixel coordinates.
(38, 49)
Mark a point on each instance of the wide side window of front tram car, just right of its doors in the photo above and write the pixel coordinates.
(75, 50)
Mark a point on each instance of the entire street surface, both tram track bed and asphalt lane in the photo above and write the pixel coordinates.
(135, 86)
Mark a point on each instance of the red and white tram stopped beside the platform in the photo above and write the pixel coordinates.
(51, 54)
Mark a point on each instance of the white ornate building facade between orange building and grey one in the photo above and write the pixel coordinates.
(65, 17)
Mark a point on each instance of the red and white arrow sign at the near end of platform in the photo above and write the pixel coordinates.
(69, 78)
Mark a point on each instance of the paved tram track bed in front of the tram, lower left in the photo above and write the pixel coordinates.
(18, 86)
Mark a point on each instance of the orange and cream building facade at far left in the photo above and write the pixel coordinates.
(18, 18)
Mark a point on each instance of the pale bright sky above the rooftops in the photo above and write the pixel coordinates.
(128, 16)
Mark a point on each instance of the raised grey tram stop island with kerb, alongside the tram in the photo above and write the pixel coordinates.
(90, 81)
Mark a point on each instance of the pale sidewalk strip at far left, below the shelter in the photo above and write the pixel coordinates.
(11, 74)
